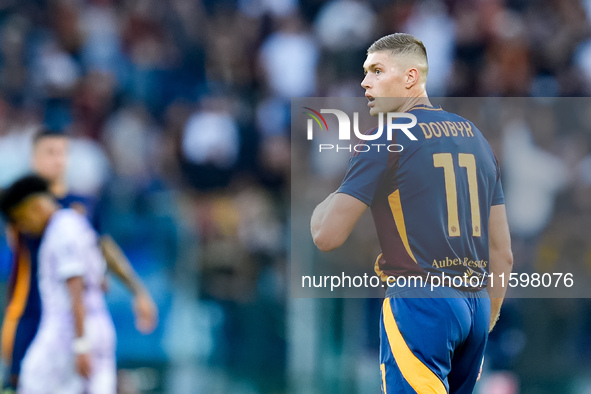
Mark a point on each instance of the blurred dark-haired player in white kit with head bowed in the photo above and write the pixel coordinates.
(74, 349)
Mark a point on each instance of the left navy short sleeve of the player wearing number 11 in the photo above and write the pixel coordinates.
(363, 176)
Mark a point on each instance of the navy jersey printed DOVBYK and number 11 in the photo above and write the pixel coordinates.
(431, 201)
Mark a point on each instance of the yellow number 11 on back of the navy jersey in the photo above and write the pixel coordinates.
(466, 160)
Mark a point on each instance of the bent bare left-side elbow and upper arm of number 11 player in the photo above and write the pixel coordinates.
(334, 219)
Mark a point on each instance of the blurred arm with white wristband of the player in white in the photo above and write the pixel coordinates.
(80, 345)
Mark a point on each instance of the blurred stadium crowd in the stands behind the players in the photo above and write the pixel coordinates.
(179, 113)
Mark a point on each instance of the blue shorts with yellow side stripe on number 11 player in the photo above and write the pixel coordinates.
(432, 341)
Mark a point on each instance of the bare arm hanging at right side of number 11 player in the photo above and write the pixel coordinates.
(501, 259)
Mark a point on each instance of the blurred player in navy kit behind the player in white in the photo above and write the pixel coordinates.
(23, 311)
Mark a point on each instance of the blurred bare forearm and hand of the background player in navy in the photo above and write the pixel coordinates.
(145, 310)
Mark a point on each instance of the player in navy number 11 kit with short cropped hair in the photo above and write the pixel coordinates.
(438, 208)
